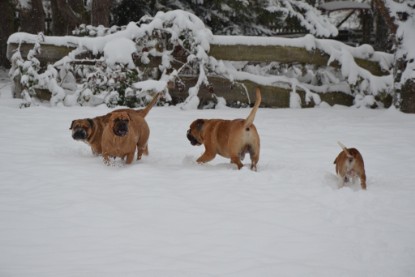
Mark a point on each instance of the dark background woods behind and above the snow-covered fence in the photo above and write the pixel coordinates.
(231, 17)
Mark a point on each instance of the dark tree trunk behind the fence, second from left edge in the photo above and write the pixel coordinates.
(33, 20)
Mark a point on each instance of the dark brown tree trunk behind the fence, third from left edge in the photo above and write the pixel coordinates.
(66, 16)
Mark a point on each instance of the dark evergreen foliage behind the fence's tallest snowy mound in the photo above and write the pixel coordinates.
(231, 17)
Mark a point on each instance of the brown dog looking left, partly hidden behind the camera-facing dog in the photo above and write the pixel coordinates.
(89, 130)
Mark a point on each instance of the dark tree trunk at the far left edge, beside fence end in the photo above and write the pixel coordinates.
(8, 27)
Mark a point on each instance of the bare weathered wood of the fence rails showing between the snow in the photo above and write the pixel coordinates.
(240, 91)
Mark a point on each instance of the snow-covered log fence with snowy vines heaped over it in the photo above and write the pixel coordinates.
(176, 44)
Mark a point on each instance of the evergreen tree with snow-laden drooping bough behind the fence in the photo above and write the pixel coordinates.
(236, 17)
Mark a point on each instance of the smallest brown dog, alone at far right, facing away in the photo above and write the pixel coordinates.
(349, 166)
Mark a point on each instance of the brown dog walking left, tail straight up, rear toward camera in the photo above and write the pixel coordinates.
(228, 138)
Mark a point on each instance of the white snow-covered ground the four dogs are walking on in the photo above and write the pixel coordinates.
(64, 213)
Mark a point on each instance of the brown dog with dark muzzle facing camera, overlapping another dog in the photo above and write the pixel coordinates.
(124, 133)
